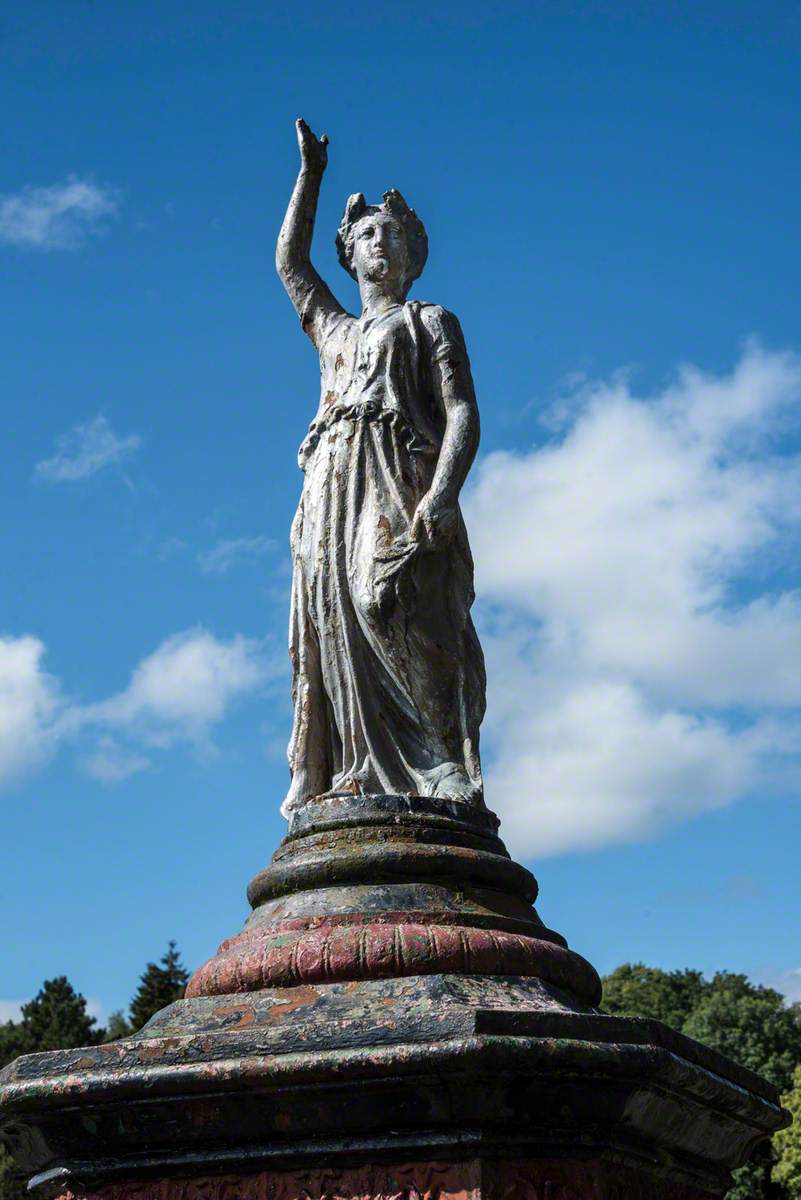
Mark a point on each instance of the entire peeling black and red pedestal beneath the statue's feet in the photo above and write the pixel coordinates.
(394, 1022)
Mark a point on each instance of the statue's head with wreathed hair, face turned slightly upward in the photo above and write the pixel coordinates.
(383, 243)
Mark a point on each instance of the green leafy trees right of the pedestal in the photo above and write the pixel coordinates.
(743, 1021)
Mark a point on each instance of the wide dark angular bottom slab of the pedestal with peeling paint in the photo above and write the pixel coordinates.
(481, 1087)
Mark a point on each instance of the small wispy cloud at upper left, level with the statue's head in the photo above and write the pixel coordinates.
(58, 218)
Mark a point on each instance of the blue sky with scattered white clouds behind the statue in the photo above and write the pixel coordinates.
(612, 194)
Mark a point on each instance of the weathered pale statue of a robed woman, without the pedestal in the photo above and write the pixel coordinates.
(389, 677)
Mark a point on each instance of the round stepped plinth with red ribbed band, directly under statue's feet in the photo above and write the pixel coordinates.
(368, 887)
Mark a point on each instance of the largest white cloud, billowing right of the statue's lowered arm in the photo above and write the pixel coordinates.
(634, 680)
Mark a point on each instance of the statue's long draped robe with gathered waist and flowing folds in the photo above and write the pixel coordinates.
(389, 677)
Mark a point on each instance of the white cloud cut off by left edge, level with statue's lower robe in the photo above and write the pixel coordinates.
(29, 703)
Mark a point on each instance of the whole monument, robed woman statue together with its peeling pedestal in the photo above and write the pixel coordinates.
(394, 1021)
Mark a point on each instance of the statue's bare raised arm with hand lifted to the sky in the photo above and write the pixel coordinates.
(310, 295)
